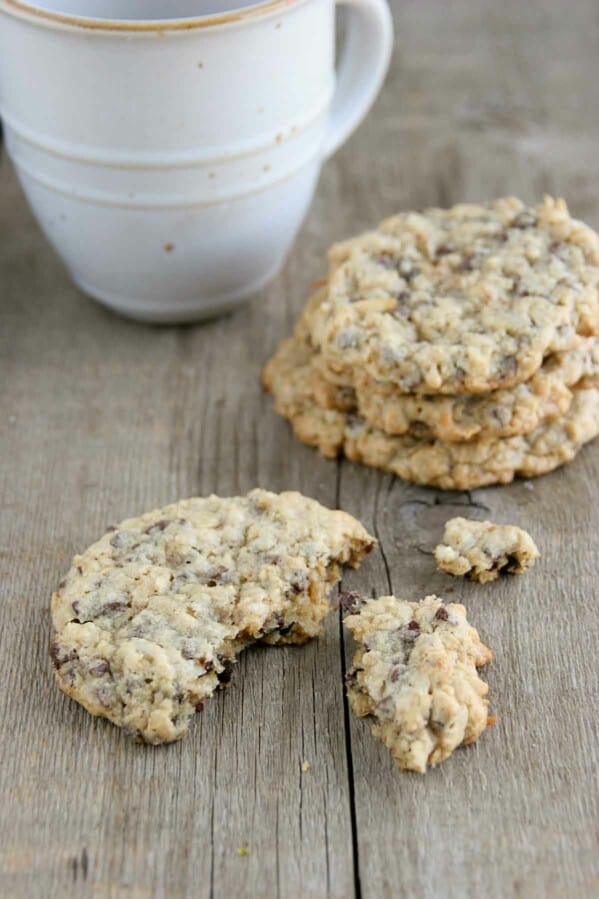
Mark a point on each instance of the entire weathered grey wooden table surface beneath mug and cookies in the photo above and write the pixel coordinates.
(101, 418)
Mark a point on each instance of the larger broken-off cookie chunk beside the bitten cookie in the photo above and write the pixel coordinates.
(415, 674)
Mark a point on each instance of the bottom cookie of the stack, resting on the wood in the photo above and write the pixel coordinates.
(452, 466)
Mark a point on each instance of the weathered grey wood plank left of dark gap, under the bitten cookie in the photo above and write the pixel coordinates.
(102, 418)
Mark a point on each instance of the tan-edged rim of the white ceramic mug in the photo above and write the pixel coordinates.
(21, 8)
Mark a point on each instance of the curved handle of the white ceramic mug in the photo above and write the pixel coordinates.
(364, 62)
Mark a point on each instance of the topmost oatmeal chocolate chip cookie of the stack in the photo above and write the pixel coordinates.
(464, 300)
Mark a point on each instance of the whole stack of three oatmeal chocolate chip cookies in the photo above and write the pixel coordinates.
(454, 348)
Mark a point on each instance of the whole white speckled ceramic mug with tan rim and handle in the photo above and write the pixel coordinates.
(170, 161)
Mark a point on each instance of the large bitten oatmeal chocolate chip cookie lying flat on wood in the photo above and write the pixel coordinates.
(149, 620)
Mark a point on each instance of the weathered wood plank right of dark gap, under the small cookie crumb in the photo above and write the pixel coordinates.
(483, 96)
